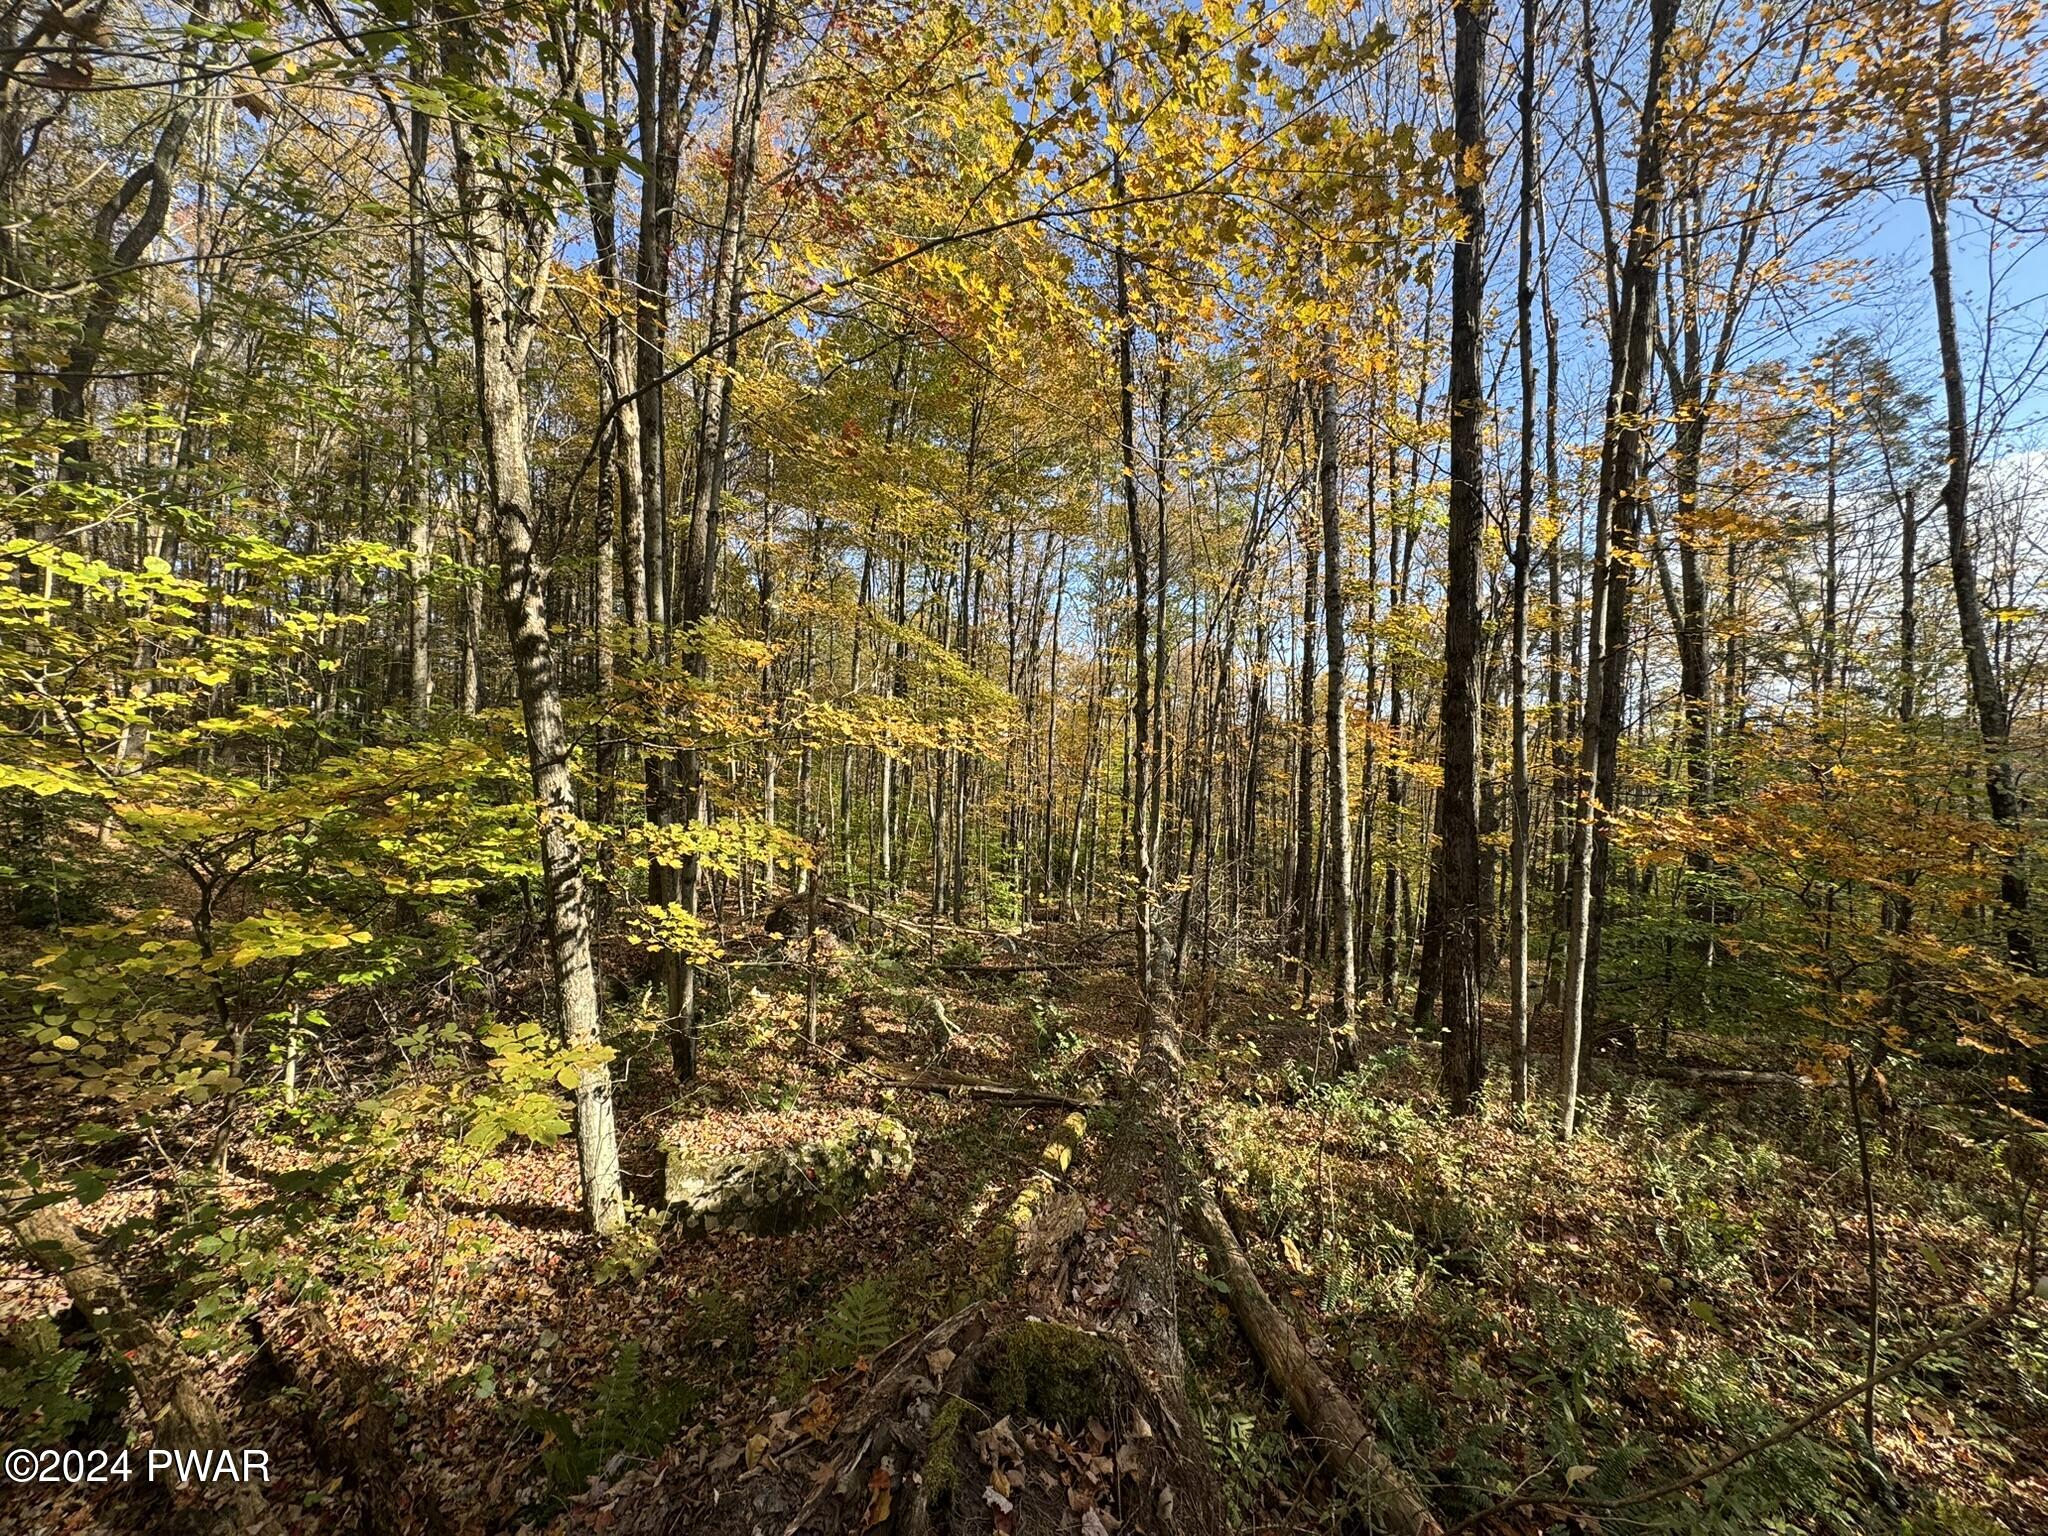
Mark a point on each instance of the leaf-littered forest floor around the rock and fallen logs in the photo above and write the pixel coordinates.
(1512, 1312)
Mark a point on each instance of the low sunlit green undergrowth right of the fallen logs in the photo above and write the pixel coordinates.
(1613, 1314)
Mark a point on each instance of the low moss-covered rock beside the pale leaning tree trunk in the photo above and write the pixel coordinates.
(787, 1189)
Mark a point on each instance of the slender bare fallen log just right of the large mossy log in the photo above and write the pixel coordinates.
(1318, 1406)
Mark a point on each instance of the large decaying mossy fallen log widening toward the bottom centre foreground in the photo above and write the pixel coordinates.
(912, 1449)
